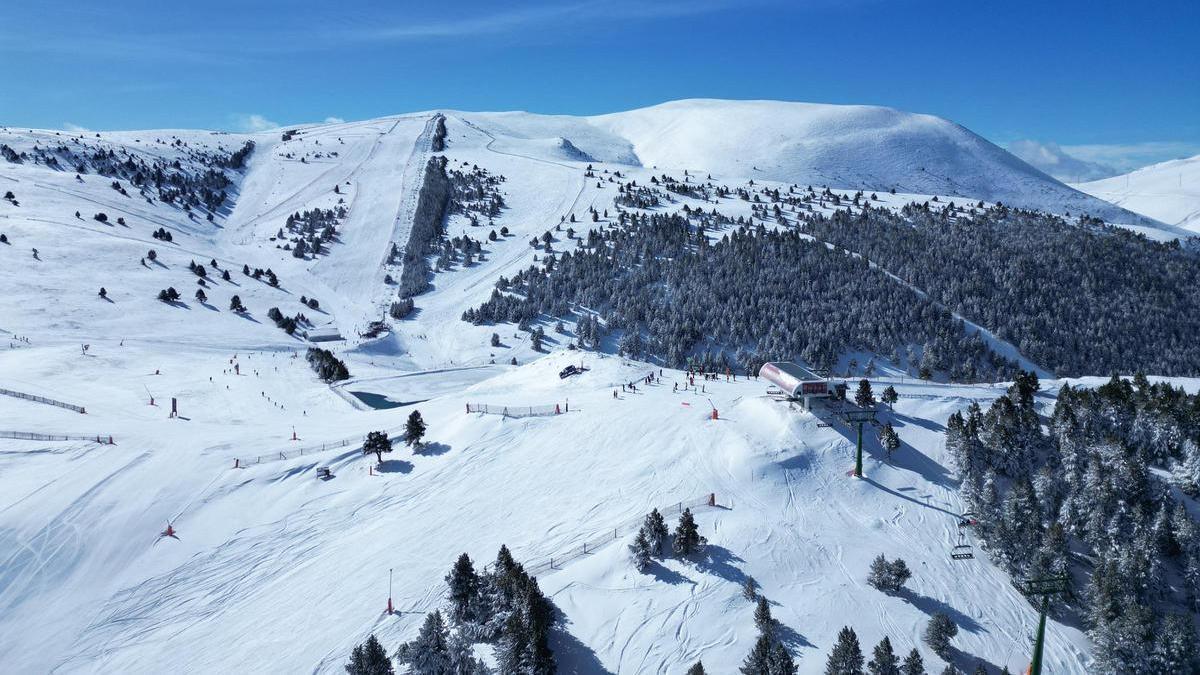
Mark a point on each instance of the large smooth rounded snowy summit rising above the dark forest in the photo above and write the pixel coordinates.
(859, 147)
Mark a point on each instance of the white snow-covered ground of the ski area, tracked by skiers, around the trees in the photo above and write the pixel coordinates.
(275, 570)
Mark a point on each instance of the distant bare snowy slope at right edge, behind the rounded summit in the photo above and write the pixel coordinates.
(1167, 192)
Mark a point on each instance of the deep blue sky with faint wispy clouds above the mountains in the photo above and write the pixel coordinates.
(1106, 82)
